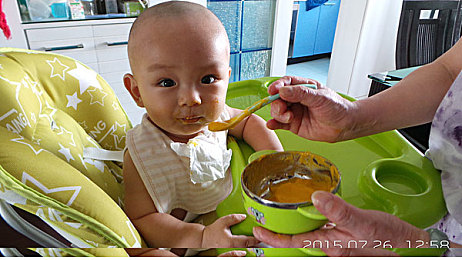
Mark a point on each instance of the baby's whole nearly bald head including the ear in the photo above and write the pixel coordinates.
(179, 57)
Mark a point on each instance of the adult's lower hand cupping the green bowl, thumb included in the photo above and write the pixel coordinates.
(368, 228)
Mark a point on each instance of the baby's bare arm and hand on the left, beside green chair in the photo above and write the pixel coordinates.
(164, 230)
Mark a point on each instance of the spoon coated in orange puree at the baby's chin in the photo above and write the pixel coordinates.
(232, 122)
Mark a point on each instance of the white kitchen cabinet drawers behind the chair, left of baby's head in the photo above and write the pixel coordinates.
(103, 47)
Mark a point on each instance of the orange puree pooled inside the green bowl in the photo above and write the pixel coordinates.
(297, 190)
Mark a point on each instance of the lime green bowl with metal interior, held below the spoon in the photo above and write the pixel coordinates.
(289, 218)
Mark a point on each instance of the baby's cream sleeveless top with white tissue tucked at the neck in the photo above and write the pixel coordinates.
(167, 175)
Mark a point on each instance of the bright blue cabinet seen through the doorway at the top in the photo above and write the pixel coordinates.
(315, 29)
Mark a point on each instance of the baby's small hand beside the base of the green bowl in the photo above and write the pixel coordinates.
(218, 234)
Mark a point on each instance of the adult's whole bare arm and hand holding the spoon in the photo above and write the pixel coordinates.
(325, 116)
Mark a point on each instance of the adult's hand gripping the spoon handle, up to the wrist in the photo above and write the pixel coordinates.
(317, 114)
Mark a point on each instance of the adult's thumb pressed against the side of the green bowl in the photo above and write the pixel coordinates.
(337, 210)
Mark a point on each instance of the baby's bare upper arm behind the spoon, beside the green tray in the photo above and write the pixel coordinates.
(254, 132)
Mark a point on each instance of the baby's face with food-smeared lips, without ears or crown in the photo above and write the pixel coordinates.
(183, 76)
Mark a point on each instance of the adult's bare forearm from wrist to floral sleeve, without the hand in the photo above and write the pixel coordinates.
(415, 99)
